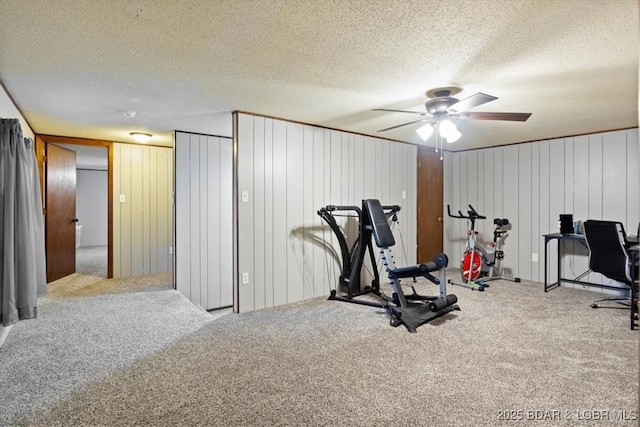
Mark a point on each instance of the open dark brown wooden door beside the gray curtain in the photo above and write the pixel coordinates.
(60, 216)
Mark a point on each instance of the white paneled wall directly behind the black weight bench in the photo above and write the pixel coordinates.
(289, 171)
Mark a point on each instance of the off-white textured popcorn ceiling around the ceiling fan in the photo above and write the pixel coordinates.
(72, 66)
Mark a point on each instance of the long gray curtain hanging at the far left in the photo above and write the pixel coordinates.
(22, 256)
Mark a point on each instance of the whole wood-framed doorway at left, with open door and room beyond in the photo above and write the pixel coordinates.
(86, 228)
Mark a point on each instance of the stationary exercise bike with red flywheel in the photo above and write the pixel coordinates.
(477, 265)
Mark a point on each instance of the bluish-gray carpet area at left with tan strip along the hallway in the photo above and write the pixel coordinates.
(87, 328)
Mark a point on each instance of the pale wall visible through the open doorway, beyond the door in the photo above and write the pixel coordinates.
(91, 206)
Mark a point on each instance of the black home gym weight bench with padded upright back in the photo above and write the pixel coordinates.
(411, 310)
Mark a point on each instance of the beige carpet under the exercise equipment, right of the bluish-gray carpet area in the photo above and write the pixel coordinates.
(512, 352)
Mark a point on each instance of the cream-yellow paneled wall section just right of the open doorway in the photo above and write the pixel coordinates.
(142, 221)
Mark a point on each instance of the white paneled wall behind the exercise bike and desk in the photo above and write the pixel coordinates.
(592, 177)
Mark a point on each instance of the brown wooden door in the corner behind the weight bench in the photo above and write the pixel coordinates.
(430, 204)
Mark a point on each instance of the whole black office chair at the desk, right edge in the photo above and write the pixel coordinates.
(609, 256)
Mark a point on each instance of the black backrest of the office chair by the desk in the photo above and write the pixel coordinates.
(608, 255)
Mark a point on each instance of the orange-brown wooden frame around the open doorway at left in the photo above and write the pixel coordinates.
(41, 144)
